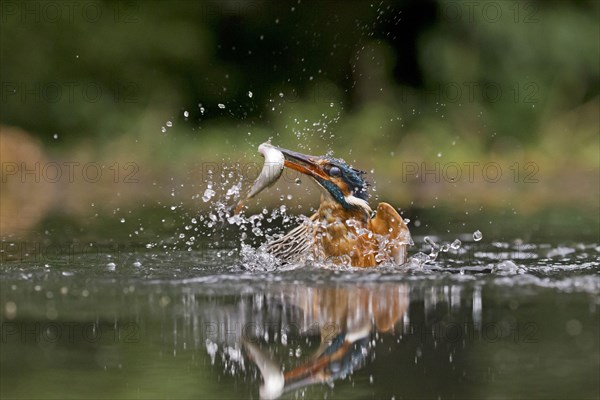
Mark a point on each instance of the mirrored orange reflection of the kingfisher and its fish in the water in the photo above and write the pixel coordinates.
(342, 319)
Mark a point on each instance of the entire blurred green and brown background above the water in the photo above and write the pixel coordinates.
(460, 106)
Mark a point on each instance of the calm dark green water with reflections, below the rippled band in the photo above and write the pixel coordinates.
(422, 337)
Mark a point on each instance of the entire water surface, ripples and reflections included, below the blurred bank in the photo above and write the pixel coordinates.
(490, 319)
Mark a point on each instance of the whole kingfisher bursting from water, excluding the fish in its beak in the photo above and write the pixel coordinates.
(345, 229)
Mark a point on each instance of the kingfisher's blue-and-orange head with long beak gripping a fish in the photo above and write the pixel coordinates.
(341, 182)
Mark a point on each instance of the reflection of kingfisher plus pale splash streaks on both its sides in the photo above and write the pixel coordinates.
(289, 337)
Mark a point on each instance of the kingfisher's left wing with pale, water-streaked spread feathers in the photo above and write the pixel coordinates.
(296, 244)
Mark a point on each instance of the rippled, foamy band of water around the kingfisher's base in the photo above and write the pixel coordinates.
(566, 268)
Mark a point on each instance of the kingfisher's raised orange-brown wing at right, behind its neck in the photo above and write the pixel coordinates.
(387, 222)
